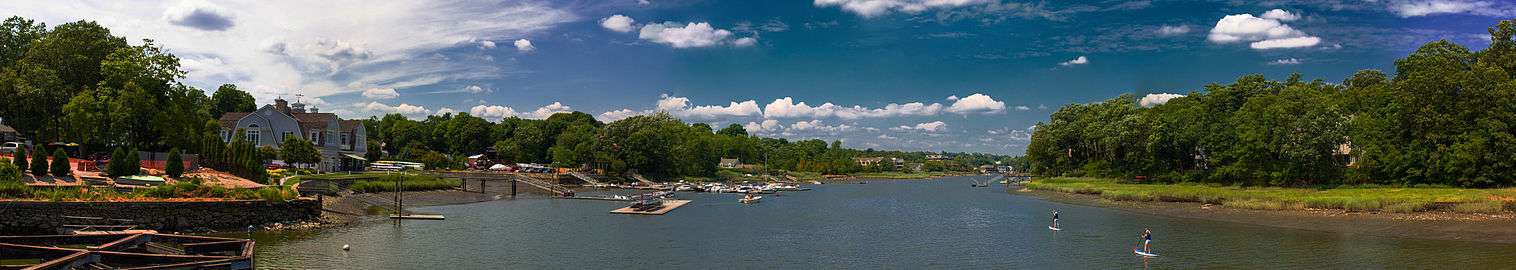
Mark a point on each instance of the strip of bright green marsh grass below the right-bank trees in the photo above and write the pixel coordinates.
(1371, 198)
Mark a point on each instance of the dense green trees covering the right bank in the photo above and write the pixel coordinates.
(1446, 118)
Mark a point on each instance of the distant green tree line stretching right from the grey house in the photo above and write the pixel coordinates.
(656, 145)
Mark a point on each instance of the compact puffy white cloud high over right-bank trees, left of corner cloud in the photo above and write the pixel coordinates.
(1264, 34)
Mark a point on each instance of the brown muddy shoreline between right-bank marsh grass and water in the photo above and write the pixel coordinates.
(1449, 227)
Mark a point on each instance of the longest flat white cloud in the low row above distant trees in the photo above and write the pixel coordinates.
(788, 108)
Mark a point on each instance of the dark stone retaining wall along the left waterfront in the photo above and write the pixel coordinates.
(48, 218)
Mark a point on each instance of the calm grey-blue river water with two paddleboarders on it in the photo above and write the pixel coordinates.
(882, 225)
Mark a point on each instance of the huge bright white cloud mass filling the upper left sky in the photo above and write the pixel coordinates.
(315, 48)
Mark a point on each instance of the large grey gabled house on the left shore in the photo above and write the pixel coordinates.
(343, 143)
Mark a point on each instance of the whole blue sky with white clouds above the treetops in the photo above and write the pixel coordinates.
(900, 75)
